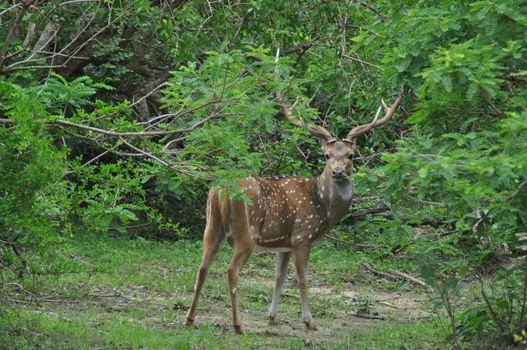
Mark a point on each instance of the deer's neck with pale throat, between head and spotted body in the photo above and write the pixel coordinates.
(335, 196)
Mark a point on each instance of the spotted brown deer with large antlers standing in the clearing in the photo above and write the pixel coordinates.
(285, 215)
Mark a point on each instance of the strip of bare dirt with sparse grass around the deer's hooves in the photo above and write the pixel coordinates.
(360, 303)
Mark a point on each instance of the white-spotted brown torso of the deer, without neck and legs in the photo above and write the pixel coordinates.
(281, 213)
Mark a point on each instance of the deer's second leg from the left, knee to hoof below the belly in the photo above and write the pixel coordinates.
(239, 258)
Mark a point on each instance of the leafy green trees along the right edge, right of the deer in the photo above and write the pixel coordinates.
(465, 161)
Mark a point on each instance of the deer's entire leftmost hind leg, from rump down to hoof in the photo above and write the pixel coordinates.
(212, 238)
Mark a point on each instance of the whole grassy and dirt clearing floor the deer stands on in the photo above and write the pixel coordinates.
(133, 294)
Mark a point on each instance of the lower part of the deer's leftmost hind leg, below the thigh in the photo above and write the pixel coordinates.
(211, 243)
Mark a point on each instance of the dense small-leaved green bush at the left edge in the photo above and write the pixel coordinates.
(33, 192)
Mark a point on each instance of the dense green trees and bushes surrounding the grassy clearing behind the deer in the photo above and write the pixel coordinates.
(116, 117)
